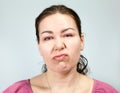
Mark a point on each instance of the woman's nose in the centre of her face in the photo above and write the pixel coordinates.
(59, 44)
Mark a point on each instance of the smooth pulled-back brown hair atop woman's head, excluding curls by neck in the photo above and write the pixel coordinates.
(57, 9)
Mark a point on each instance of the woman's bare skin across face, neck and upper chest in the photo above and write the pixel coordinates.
(60, 46)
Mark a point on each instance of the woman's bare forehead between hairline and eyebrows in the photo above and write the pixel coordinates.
(57, 21)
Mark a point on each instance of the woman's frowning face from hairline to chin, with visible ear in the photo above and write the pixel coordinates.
(60, 43)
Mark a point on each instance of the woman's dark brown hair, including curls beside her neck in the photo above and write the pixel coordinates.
(62, 9)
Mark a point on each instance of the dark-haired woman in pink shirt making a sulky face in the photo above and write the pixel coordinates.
(60, 42)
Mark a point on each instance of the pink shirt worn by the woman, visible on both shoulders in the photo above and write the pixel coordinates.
(25, 87)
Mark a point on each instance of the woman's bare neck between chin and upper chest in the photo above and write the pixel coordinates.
(58, 80)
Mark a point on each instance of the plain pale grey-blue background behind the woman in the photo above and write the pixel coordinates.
(19, 56)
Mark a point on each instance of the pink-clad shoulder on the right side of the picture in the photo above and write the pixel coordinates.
(102, 87)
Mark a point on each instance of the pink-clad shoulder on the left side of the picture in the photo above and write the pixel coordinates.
(22, 86)
